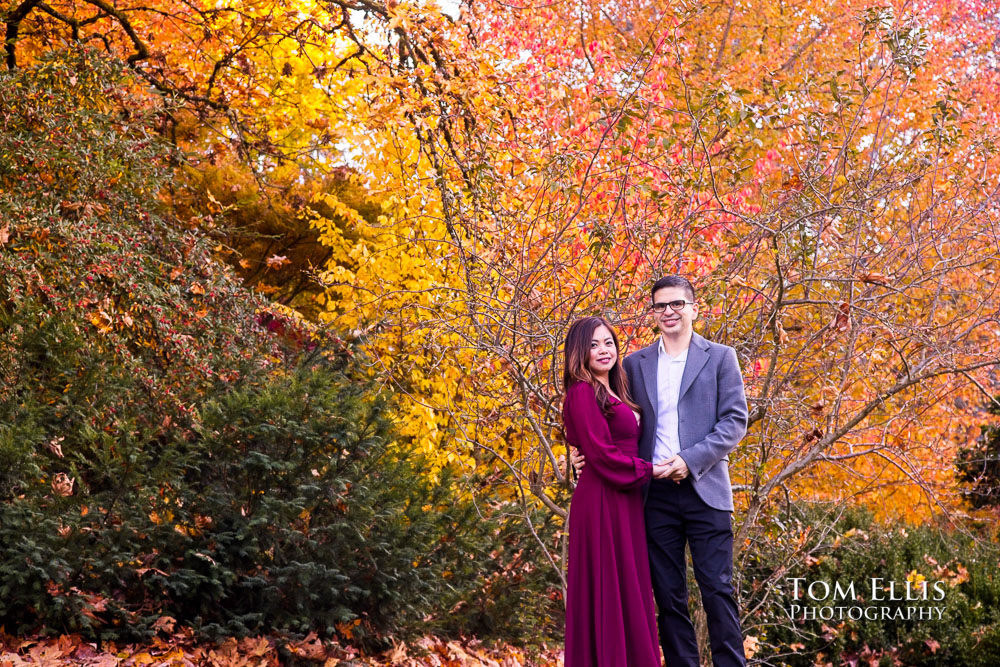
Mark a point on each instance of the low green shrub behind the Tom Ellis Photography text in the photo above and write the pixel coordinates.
(959, 568)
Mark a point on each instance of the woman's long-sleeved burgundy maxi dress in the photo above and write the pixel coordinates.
(609, 599)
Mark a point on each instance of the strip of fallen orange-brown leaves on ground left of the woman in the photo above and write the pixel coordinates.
(181, 650)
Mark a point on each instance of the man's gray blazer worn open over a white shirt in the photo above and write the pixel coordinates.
(711, 412)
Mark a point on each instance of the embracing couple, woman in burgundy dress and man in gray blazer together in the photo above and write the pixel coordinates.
(653, 443)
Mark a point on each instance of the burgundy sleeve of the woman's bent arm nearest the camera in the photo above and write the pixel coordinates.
(587, 429)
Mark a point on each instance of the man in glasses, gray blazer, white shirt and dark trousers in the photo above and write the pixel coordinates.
(694, 413)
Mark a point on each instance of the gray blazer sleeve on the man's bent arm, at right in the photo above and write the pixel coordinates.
(731, 425)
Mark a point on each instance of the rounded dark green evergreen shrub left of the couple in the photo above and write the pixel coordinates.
(334, 526)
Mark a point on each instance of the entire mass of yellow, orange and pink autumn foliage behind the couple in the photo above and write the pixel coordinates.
(826, 174)
